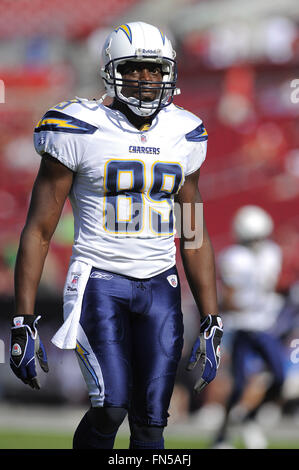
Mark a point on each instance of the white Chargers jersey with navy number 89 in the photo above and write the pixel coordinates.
(125, 181)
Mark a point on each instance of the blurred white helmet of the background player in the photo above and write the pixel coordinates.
(252, 223)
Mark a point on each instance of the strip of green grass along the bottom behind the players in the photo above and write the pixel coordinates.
(46, 440)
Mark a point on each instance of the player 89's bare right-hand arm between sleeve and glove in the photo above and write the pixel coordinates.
(199, 264)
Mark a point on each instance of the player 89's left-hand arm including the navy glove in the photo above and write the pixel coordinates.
(50, 190)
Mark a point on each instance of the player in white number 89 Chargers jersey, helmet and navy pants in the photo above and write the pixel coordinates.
(122, 167)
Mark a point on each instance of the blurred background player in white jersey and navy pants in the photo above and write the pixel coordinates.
(249, 272)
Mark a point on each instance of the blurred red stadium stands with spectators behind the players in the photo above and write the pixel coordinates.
(236, 61)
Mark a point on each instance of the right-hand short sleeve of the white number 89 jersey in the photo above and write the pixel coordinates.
(196, 143)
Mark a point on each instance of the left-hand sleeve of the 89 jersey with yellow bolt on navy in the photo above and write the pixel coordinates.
(63, 137)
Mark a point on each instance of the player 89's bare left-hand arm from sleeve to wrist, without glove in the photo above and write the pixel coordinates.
(51, 188)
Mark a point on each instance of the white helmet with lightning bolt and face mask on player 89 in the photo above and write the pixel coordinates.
(140, 42)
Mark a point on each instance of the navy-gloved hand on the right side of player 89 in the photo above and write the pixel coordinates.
(206, 351)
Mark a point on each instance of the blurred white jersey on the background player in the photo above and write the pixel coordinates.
(253, 275)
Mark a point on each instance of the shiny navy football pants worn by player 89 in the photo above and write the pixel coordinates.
(130, 341)
